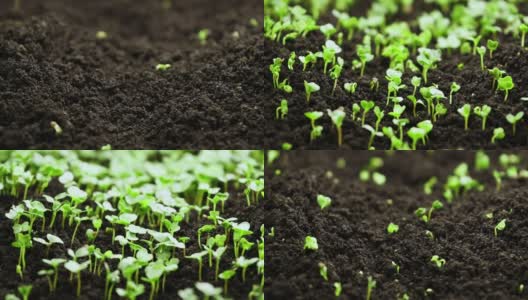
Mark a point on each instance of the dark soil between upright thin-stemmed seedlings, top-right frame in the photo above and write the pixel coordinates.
(448, 133)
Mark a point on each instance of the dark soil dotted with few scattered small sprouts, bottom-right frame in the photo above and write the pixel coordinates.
(352, 235)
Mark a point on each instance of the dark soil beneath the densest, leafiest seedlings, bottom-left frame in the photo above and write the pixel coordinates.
(92, 285)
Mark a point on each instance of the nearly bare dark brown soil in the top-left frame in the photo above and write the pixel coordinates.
(53, 68)
